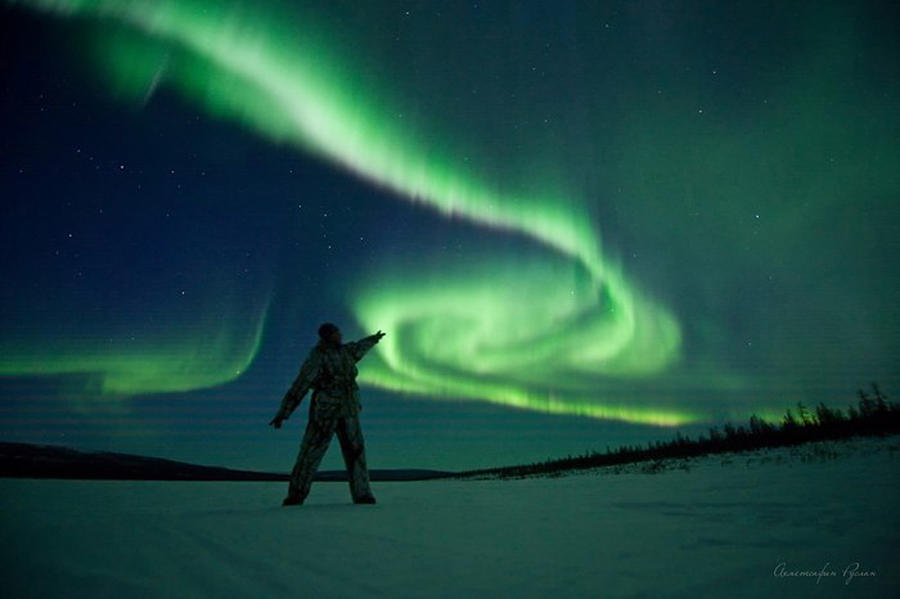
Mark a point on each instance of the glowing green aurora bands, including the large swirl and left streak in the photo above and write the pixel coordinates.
(541, 334)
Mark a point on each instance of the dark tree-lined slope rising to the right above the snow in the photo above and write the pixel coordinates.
(873, 415)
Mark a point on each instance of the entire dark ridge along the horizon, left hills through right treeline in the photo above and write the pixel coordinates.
(873, 415)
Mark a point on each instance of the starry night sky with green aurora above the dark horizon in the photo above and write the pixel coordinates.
(579, 226)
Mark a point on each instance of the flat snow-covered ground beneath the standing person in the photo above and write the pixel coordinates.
(719, 526)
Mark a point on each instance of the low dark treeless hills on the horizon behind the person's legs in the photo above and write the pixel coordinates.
(25, 460)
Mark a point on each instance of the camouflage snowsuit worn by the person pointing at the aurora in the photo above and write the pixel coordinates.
(334, 408)
